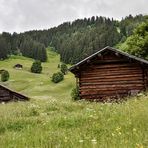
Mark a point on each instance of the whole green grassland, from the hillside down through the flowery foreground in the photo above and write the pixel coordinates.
(51, 119)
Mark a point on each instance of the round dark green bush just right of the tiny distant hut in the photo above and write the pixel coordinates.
(36, 67)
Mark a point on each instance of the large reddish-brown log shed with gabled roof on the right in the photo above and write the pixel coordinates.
(110, 74)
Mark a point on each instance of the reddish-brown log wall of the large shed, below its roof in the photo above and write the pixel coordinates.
(111, 77)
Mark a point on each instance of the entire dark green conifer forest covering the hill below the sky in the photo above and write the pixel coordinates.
(72, 40)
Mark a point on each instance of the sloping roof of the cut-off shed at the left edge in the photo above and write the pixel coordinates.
(20, 96)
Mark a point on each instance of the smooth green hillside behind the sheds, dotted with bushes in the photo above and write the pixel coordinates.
(37, 85)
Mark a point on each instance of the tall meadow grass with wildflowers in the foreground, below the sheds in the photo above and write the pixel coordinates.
(54, 123)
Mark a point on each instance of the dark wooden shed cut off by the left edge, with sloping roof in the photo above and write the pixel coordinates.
(8, 95)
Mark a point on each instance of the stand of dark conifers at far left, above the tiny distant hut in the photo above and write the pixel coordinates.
(19, 44)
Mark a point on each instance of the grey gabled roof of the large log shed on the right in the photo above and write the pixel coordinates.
(109, 49)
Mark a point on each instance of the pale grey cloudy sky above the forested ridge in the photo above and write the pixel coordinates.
(23, 15)
